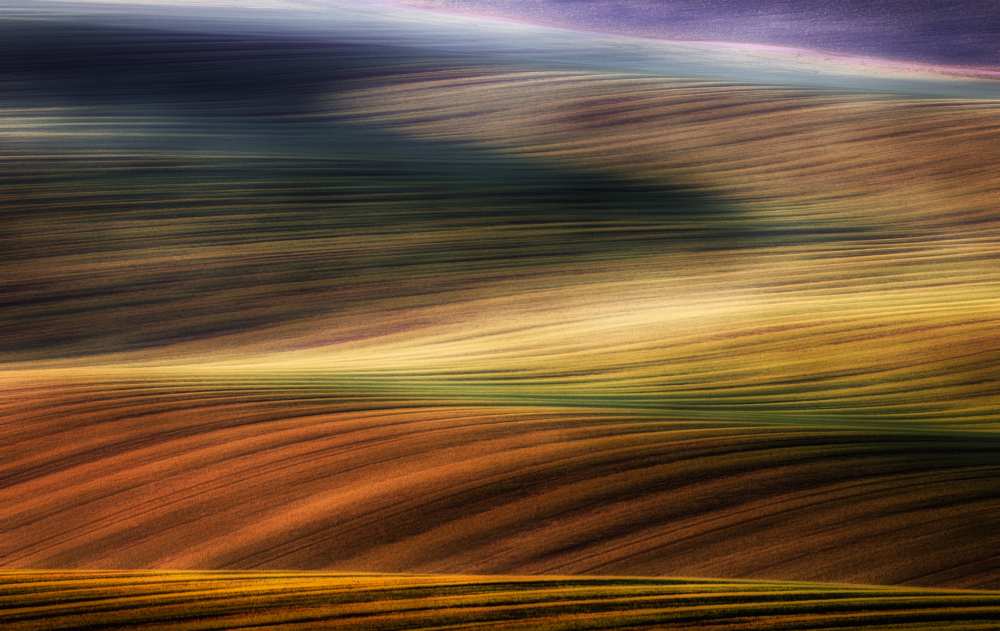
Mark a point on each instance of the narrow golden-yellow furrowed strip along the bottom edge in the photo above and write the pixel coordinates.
(293, 600)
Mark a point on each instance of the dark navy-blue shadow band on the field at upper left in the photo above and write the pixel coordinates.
(44, 62)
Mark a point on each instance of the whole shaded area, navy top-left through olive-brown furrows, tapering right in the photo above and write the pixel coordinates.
(184, 195)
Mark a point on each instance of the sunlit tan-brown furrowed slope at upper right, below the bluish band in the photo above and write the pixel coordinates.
(872, 159)
